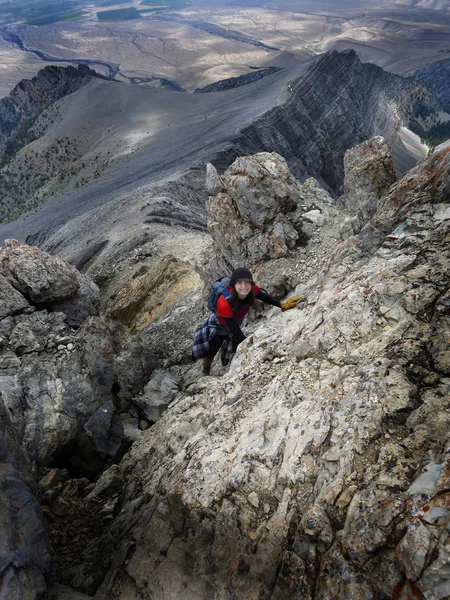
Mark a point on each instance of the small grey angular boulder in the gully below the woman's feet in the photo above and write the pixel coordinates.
(157, 395)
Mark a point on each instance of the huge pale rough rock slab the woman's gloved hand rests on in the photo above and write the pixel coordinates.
(318, 464)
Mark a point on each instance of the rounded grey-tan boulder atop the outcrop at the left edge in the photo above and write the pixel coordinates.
(39, 276)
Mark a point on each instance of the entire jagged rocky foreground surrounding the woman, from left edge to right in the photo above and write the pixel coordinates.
(315, 467)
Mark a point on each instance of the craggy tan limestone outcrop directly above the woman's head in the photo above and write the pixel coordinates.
(260, 216)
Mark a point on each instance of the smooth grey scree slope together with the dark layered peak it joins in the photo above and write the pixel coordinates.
(335, 104)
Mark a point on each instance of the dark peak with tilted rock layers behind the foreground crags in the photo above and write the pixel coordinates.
(335, 105)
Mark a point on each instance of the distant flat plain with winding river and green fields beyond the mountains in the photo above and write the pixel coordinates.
(194, 43)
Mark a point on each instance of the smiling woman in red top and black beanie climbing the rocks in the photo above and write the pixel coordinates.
(223, 328)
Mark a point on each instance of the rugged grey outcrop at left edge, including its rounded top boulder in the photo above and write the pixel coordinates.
(53, 377)
